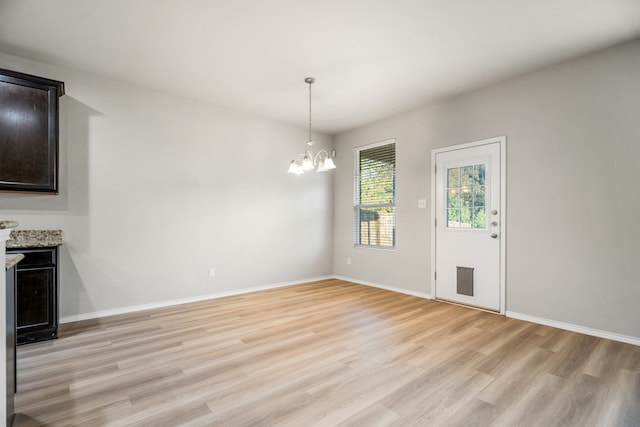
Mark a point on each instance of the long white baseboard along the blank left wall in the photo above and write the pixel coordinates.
(161, 304)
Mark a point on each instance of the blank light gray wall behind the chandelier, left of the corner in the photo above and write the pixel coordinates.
(156, 189)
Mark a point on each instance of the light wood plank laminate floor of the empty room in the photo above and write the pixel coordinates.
(328, 353)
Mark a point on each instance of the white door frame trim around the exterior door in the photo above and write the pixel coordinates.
(502, 140)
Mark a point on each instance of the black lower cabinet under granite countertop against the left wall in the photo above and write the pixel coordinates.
(36, 295)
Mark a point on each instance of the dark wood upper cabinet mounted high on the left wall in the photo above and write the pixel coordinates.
(29, 132)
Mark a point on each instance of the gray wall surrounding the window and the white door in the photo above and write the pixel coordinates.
(573, 156)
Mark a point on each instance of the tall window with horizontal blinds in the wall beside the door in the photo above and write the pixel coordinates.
(375, 195)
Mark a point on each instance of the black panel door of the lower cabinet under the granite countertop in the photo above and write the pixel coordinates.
(35, 299)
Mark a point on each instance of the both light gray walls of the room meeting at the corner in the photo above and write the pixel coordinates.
(152, 195)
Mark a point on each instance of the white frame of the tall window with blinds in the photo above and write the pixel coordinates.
(357, 206)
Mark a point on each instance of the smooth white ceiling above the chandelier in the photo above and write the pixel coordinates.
(371, 58)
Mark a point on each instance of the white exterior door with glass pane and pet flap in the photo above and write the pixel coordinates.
(468, 207)
